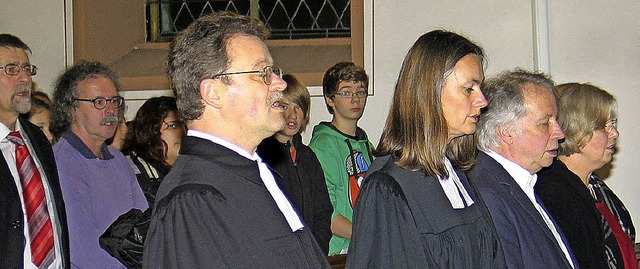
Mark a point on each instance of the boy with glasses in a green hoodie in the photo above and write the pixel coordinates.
(343, 148)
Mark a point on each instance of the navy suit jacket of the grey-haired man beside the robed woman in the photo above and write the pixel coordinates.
(525, 237)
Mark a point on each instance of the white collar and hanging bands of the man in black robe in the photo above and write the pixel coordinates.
(265, 174)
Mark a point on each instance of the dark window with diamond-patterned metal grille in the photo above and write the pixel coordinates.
(287, 19)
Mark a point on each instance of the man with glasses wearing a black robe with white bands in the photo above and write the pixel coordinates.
(220, 205)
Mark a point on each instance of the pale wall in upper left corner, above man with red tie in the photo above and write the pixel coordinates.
(40, 24)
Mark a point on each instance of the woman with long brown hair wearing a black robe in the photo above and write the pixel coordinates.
(416, 208)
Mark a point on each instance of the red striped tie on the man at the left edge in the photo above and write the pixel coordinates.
(40, 231)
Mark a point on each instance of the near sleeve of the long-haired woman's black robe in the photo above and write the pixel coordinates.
(384, 232)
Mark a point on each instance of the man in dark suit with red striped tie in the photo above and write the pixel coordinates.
(33, 221)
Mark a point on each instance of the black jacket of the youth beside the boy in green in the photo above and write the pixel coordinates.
(303, 183)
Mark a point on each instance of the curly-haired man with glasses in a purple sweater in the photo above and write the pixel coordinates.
(97, 181)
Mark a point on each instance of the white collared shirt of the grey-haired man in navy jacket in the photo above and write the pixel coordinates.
(527, 181)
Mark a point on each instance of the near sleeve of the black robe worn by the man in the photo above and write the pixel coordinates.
(195, 229)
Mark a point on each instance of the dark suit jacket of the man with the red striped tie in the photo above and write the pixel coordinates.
(11, 216)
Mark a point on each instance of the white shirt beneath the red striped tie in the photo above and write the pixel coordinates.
(9, 152)
